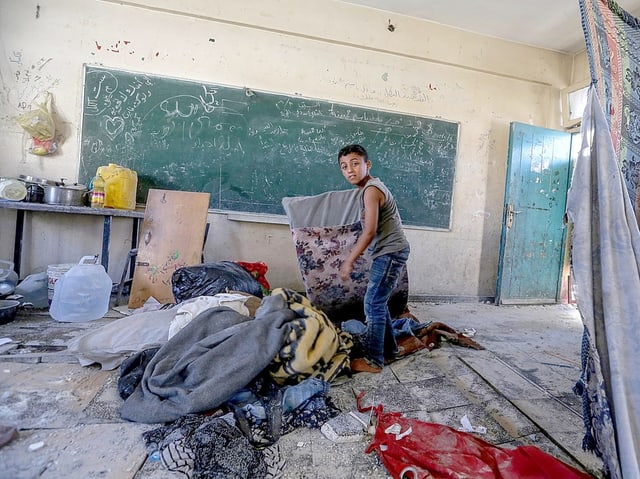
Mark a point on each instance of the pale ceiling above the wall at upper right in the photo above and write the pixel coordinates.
(551, 24)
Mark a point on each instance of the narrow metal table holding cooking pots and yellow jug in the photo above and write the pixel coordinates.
(107, 213)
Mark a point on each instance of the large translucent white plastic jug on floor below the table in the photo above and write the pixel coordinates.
(82, 293)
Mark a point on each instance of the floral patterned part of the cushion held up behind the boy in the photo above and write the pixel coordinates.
(320, 251)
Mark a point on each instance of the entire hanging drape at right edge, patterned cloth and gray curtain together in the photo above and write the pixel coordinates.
(604, 204)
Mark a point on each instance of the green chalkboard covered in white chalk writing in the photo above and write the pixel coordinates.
(249, 149)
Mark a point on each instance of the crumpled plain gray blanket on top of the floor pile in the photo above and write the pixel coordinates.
(204, 364)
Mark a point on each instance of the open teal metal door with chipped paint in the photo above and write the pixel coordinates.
(533, 233)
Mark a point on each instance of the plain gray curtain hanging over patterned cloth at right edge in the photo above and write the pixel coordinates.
(606, 268)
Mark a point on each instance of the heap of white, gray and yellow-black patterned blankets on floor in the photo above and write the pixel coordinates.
(219, 352)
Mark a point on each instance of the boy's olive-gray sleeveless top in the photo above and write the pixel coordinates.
(390, 236)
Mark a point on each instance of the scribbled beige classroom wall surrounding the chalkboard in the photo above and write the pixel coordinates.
(318, 49)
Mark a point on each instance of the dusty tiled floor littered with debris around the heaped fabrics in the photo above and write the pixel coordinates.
(519, 389)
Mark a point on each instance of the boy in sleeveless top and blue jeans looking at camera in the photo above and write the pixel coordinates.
(382, 229)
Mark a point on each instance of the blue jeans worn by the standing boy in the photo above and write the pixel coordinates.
(383, 278)
